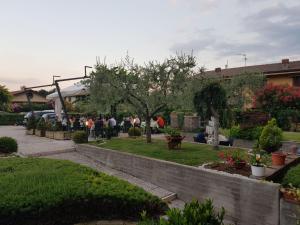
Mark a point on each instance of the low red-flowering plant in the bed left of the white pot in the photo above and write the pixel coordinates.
(234, 158)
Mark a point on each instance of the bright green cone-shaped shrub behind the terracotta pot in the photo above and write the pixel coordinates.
(271, 137)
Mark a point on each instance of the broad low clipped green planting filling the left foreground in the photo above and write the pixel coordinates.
(46, 191)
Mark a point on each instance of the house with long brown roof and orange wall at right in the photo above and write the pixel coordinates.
(285, 73)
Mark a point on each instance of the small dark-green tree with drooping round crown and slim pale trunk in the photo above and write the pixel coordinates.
(211, 101)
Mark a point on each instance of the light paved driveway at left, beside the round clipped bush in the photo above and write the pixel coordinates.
(31, 145)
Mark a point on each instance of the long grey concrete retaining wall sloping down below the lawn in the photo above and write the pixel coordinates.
(246, 201)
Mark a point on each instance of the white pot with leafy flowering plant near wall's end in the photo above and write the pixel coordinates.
(258, 161)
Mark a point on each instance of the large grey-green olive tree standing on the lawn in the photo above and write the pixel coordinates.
(149, 89)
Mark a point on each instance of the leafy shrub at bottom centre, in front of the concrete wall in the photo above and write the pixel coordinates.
(193, 213)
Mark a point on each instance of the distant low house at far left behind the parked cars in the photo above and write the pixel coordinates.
(19, 97)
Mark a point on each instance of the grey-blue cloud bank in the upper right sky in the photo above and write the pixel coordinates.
(273, 31)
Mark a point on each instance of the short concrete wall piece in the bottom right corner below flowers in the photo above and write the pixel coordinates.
(289, 213)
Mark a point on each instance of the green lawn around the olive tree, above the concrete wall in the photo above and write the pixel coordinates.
(190, 154)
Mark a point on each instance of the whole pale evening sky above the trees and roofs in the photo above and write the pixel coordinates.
(41, 38)
